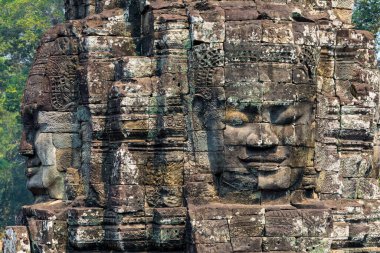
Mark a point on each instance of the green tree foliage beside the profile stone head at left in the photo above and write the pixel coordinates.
(22, 23)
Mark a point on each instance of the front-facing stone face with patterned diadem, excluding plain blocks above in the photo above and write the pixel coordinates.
(260, 122)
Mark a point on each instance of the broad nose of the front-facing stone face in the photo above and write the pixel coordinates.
(264, 138)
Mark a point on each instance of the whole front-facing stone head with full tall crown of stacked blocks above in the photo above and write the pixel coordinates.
(255, 90)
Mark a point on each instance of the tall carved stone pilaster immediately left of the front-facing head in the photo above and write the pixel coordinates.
(166, 26)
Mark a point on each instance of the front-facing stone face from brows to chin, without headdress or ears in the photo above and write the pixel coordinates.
(266, 145)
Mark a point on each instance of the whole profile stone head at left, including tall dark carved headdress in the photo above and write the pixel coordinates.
(50, 139)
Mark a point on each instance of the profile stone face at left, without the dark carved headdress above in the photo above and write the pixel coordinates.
(52, 146)
